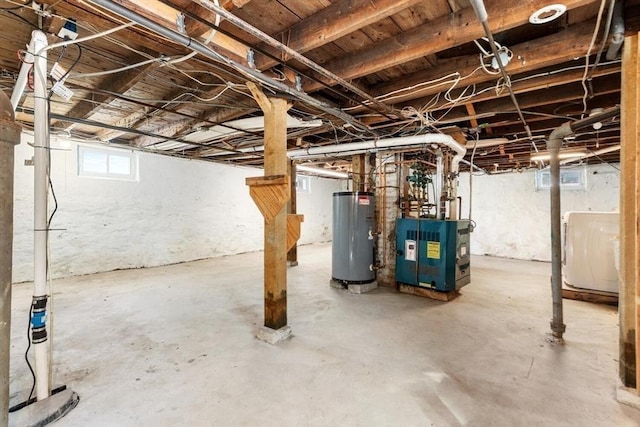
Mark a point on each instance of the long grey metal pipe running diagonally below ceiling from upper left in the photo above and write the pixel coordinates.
(250, 73)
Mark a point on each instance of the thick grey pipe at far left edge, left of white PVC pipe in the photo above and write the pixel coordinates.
(9, 137)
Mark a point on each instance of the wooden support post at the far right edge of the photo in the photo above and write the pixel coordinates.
(629, 198)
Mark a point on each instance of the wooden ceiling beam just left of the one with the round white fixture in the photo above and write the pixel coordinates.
(332, 23)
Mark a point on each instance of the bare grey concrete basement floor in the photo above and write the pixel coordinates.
(175, 346)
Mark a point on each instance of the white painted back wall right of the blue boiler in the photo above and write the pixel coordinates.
(513, 218)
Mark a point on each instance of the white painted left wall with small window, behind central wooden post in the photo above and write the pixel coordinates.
(179, 210)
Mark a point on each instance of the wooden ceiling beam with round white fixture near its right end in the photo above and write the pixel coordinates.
(435, 36)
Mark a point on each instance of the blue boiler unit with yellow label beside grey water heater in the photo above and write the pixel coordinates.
(433, 254)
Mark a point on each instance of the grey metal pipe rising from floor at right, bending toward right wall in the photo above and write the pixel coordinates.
(554, 143)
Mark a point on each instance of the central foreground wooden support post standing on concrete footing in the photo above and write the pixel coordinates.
(275, 230)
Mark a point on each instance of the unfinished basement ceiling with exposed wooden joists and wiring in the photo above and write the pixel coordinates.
(399, 68)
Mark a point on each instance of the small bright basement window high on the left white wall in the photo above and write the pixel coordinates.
(107, 163)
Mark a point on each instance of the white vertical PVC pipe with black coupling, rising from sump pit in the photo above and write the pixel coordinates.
(41, 194)
